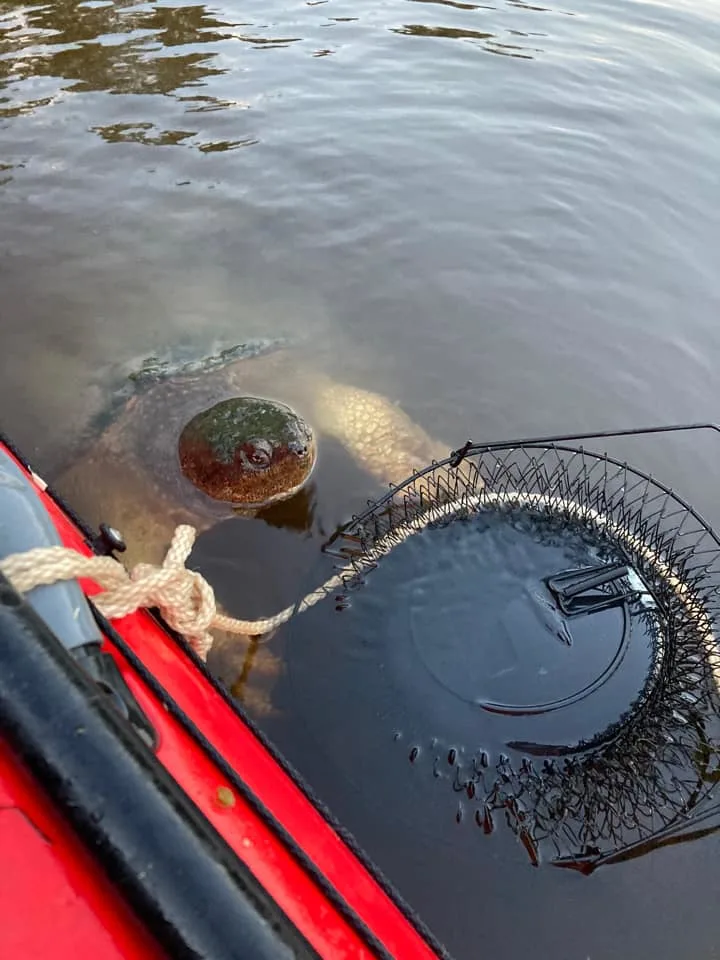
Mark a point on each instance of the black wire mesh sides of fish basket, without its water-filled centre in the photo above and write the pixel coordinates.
(650, 777)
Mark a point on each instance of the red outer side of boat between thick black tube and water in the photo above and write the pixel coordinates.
(254, 842)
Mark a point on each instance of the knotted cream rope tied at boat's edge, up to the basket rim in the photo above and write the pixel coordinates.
(184, 598)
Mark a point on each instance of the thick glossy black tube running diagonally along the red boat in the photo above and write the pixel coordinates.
(187, 886)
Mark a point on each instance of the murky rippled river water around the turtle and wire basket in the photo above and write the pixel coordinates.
(503, 215)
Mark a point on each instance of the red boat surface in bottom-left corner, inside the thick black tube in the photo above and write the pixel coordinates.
(54, 901)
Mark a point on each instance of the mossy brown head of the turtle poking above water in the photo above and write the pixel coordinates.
(247, 451)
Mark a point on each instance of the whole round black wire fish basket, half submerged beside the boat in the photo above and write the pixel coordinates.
(551, 613)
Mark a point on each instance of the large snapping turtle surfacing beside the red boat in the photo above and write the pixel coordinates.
(200, 445)
